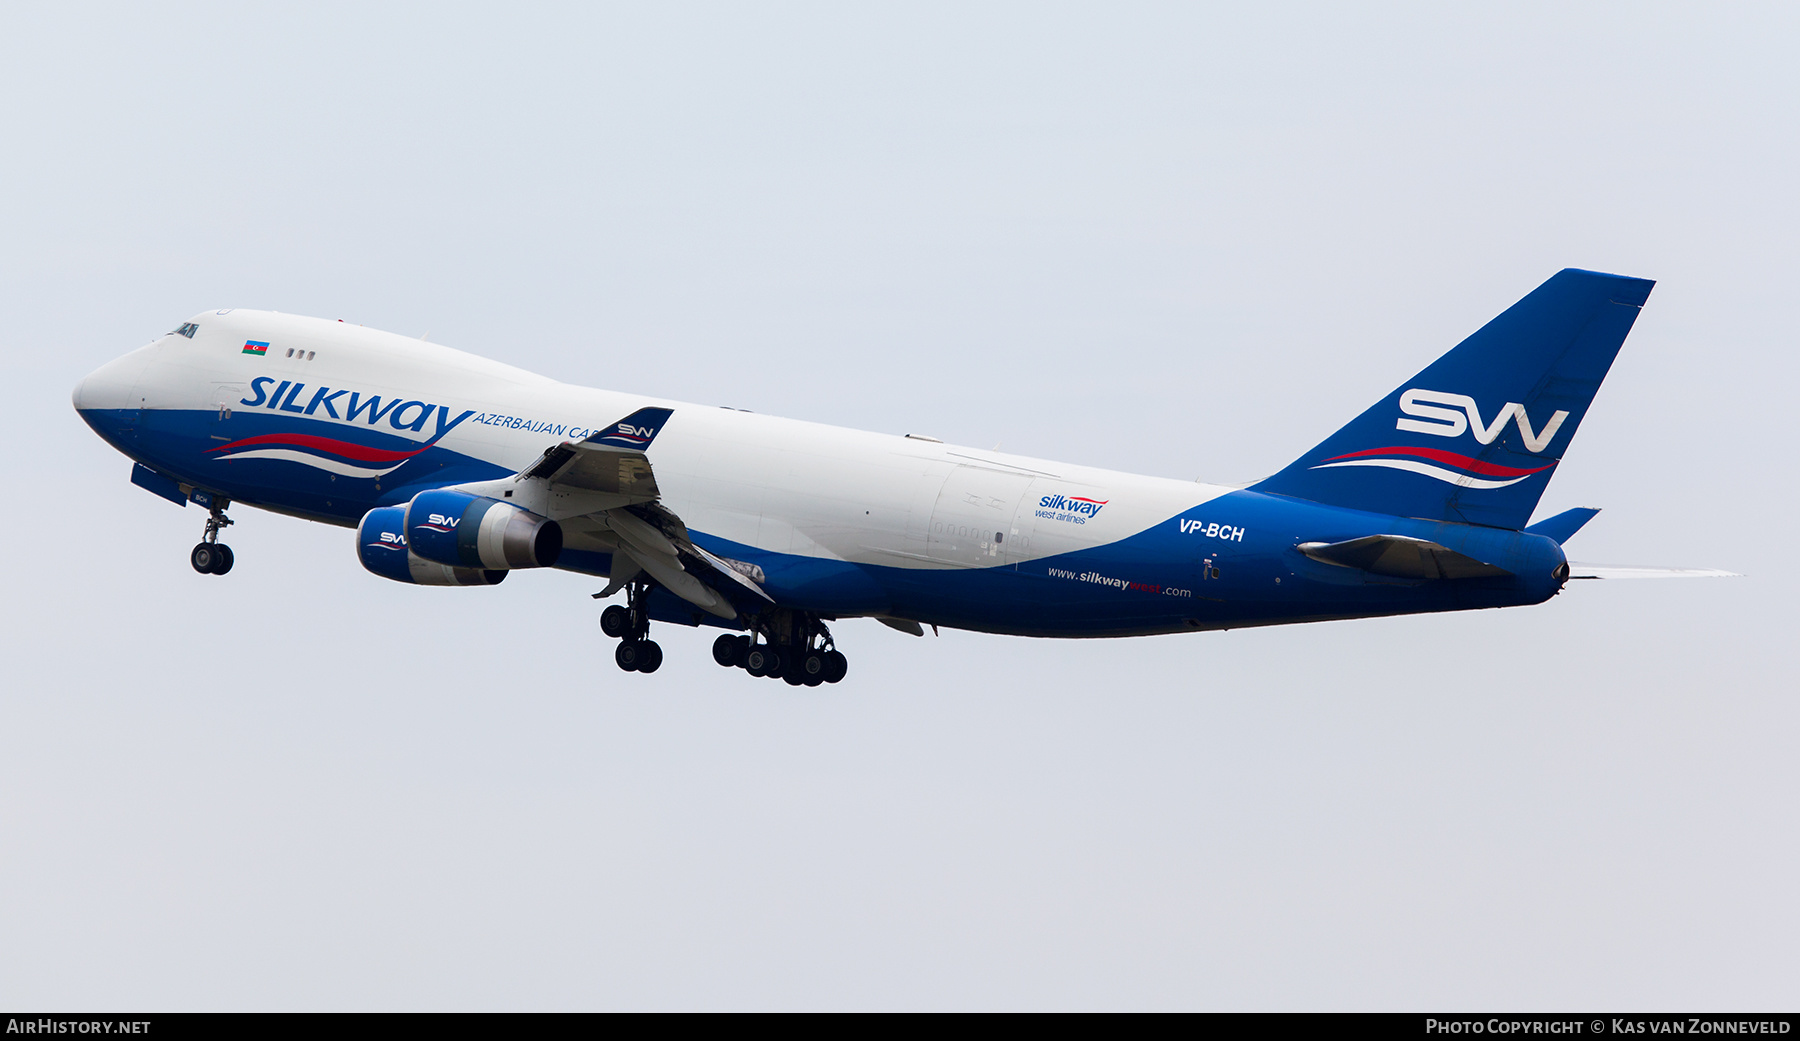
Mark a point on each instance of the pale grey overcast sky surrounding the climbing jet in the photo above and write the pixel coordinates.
(1176, 240)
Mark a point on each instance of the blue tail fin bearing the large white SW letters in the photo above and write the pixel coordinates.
(1477, 435)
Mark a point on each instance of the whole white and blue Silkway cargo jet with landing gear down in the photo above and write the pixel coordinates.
(458, 471)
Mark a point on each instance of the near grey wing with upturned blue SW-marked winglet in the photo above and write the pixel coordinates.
(607, 491)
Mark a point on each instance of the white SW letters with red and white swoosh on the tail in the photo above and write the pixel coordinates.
(1464, 417)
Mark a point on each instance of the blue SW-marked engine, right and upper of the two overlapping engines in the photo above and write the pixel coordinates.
(465, 530)
